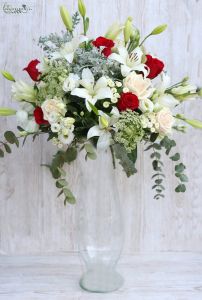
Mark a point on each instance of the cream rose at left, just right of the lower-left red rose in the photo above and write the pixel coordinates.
(53, 109)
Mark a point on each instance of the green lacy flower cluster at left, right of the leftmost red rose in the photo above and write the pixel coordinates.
(52, 81)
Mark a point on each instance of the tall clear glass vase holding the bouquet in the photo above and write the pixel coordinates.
(100, 229)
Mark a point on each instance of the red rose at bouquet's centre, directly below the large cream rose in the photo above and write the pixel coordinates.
(128, 101)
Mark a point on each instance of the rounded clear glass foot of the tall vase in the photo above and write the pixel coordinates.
(101, 281)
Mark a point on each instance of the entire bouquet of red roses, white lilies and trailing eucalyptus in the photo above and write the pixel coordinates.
(94, 94)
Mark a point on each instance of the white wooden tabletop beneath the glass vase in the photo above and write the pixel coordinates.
(163, 276)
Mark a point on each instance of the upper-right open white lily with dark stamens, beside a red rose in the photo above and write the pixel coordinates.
(130, 62)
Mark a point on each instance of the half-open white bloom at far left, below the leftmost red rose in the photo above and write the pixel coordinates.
(23, 91)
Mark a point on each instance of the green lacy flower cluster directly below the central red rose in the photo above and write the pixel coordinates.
(129, 130)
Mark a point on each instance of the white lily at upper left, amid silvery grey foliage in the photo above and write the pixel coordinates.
(67, 50)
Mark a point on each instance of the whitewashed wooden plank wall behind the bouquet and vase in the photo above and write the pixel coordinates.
(32, 220)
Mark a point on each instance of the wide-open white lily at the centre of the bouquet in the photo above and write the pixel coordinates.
(90, 90)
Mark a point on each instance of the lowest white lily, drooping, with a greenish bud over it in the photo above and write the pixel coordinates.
(102, 130)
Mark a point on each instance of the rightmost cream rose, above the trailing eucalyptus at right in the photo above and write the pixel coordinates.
(165, 120)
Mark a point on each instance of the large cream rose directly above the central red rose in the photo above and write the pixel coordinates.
(138, 85)
